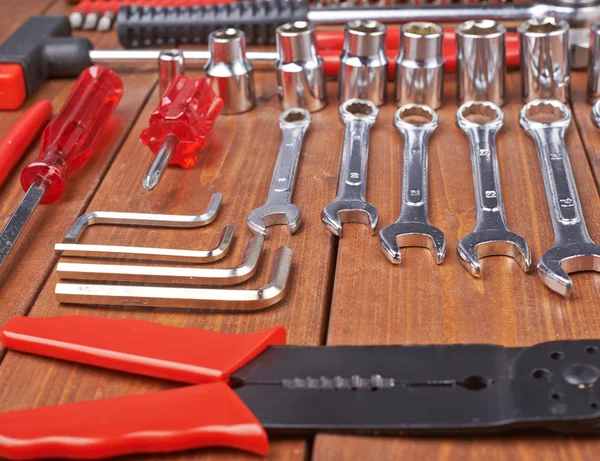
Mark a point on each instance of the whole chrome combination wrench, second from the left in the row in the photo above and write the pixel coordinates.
(350, 205)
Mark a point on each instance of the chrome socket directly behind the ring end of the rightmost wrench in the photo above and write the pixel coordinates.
(545, 69)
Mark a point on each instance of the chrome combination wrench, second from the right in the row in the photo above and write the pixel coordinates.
(481, 121)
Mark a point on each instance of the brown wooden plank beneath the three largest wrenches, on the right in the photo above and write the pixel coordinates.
(419, 302)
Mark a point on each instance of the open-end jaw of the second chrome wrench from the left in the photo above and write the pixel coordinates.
(349, 211)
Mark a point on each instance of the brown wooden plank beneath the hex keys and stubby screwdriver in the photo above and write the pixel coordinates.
(237, 162)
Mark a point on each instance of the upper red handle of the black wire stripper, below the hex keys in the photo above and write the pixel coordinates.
(187, 355)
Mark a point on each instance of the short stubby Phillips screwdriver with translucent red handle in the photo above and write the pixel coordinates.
(179, 125)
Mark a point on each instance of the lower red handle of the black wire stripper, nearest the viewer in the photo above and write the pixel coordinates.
(179, 419)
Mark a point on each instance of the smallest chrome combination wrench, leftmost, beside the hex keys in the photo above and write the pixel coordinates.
(278, 208)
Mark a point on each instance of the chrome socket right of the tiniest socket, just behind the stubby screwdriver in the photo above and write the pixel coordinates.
(230, 72)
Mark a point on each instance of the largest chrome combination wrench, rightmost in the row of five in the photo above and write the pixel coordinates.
(546, 121)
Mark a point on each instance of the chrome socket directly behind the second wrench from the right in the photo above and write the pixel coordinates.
(481, 62)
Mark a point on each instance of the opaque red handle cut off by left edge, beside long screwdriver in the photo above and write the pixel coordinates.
(21, 135)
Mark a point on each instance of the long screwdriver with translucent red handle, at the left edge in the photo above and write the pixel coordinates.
(66, 146)
